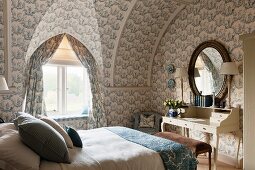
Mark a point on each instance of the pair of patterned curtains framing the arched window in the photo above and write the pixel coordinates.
(34, 77)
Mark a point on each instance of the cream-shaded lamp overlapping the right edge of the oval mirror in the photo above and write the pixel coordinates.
(229, 69)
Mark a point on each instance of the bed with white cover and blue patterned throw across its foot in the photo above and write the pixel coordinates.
(117, 148)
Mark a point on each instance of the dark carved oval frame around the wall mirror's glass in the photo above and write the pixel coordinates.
(225, 57)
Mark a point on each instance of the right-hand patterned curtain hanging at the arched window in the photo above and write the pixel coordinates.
(97, 117)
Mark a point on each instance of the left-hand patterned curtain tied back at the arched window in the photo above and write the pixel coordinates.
(34, 76)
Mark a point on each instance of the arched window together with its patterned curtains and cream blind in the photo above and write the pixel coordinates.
(68, 77)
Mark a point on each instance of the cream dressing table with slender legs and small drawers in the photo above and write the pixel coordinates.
(209, 120)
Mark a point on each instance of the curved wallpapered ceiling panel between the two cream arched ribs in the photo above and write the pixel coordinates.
(139, 39)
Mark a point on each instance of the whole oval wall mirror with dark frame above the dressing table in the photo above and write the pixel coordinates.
(204, 67)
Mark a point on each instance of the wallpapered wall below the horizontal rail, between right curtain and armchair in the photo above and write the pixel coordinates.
(120, 104)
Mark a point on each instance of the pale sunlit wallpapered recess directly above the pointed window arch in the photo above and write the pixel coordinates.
(76, 18)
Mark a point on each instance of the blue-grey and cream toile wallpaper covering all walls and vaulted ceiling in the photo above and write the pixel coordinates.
(132, 41)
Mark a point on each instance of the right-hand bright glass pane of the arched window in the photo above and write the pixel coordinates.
(78, 94)
